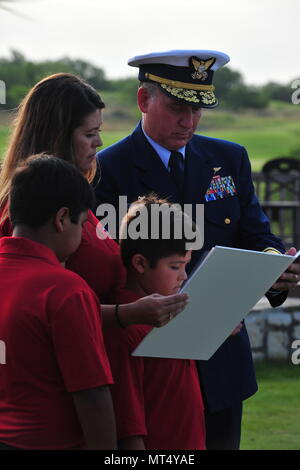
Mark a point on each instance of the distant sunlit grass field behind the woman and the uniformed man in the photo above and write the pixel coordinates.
(265, 135)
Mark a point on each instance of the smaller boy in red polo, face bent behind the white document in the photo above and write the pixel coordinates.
(158, 402)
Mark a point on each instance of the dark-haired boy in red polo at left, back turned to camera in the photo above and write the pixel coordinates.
(54, 390)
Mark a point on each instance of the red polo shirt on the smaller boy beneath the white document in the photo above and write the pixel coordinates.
(159, 399)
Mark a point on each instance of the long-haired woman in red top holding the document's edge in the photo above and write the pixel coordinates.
(62, 115)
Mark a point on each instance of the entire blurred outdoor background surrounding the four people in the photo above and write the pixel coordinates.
(95, 38)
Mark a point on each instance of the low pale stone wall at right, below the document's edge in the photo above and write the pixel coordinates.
(273, 330)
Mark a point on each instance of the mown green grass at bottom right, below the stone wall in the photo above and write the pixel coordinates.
(272, 416)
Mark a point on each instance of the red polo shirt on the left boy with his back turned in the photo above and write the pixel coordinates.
(50, 323)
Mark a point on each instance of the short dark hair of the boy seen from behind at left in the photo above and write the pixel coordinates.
(43, 185)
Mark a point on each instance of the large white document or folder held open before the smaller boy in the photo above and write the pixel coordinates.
(222, 290)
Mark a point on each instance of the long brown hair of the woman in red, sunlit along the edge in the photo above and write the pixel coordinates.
(45, 122)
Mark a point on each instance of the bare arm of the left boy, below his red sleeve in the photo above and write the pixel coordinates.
(96, 416)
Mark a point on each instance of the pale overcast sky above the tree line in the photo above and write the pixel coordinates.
(261, 36)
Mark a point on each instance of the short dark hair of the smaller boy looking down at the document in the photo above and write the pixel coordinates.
(159, 247)
